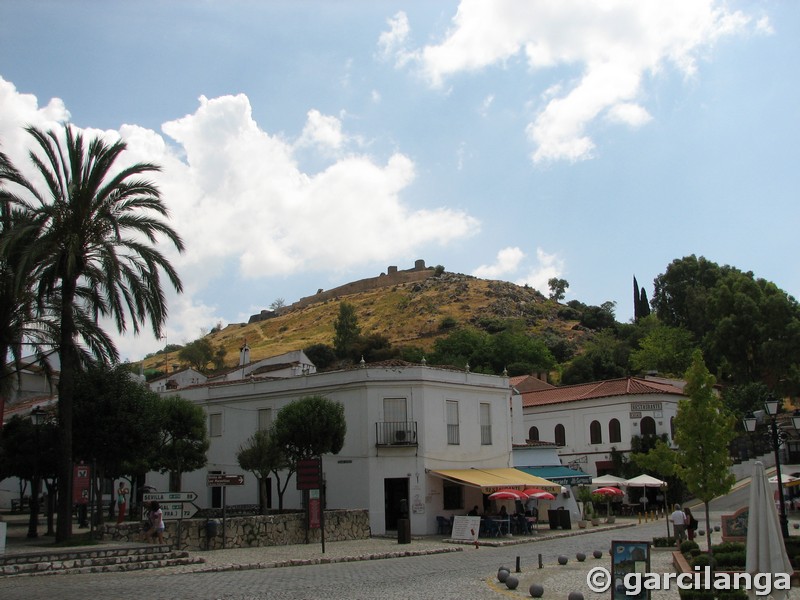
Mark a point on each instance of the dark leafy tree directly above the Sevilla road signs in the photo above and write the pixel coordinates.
(183, 440)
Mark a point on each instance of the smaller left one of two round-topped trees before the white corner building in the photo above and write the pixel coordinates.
(262, 456)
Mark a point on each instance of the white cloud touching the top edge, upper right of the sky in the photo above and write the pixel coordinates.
(614, 43)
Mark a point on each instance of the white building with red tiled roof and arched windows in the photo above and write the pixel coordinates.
(587, 420)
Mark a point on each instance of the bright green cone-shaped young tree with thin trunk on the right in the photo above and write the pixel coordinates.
(703, 432)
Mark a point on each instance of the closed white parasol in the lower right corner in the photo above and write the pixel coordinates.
(766, 552)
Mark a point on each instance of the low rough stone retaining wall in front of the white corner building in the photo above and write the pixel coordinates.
(255, 531)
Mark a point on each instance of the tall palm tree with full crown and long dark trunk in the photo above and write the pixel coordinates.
(97, 225)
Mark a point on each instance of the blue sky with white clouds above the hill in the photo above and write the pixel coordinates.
(308, 144)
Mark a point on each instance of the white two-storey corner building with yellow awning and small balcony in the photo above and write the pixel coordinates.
(437, 438)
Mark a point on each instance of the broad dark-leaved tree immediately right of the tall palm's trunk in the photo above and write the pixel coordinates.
(116, 423)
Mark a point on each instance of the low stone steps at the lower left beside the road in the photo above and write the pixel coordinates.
(94, 561)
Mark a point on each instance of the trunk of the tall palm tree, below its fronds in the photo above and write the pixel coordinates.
(70, 365)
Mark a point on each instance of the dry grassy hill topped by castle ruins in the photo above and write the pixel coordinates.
(409, 311)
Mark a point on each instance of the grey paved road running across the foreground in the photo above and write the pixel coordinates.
(460, 575)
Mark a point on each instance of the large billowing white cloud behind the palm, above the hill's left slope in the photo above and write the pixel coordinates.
(237, 195)
